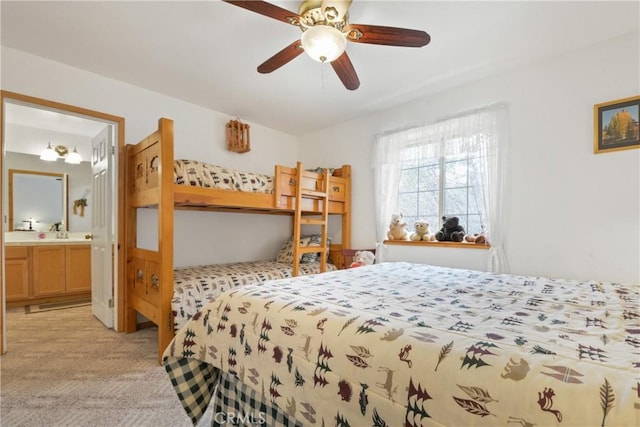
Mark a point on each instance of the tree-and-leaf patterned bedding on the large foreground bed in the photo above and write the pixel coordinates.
(399, 344)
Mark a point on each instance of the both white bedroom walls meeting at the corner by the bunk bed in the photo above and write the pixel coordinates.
(568, 213)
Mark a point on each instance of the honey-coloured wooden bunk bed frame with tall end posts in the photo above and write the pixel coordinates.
(150, 184)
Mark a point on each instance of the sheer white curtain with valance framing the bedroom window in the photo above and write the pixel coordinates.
(482, 131)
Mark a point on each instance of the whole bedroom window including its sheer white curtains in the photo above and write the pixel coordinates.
(453, 167)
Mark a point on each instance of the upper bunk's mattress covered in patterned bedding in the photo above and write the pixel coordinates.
(201, 174)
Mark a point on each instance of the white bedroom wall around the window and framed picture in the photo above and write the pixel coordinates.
(568, 213)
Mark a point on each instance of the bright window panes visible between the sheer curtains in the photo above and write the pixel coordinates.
(444, 181)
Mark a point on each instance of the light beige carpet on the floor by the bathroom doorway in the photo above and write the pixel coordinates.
(64, 368)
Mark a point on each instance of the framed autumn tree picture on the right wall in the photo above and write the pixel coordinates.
(616, 125)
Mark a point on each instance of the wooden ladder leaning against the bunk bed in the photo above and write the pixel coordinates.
(321, 218)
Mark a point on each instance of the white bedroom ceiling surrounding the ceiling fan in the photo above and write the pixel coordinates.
(207, 52)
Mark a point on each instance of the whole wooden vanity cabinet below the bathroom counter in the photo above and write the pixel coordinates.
(47, 271)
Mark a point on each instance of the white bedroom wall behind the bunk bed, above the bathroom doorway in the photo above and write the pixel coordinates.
(199, 133)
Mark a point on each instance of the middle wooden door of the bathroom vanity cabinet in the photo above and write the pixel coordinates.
(48, 271)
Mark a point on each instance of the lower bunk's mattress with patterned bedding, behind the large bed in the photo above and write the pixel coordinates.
(195, 286)
